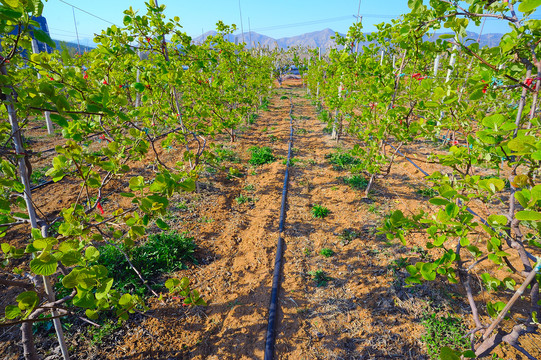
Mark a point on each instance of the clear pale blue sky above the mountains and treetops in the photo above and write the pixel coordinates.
(275, 18)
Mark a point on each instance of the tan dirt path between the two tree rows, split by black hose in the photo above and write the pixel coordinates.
(352, 316)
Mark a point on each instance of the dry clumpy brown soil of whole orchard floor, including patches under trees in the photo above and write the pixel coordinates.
(363, 312)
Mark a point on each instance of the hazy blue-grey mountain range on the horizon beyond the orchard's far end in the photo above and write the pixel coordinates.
(322, 39)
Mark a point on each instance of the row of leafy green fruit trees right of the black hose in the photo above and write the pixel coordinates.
(409, 84)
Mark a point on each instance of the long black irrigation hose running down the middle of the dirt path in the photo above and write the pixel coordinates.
(273, 307)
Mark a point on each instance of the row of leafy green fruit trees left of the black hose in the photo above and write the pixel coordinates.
(144, 91)
